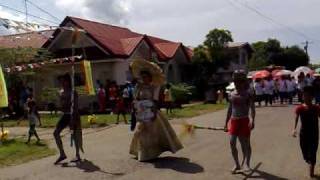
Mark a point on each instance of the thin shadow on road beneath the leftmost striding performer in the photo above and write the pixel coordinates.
(88, 167)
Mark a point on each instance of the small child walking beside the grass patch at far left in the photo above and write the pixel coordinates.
(33, 117)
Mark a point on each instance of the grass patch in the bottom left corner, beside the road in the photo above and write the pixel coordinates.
(15, 151)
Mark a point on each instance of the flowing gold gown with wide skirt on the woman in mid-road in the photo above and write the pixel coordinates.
(155, 137)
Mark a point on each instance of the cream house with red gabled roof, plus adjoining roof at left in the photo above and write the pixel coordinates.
(109, 48)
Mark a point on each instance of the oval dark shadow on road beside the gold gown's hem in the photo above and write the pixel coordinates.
(178, 164)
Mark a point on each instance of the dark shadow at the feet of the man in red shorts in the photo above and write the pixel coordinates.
(260, 174)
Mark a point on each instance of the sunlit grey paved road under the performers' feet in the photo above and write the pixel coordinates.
(276, 154)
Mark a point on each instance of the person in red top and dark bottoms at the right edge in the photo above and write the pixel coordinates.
(309, 131)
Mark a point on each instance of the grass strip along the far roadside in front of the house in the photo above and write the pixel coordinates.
(50, 121)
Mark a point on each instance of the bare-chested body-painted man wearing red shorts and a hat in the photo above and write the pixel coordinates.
(238, 123)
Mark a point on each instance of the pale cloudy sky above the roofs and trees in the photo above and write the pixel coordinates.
(188, 21)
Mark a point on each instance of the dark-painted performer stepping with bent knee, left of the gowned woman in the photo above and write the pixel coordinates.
(69, 118)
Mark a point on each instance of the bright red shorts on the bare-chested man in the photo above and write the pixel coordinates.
(239, 127)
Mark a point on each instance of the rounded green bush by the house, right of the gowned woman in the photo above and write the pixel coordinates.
(182, 93)
